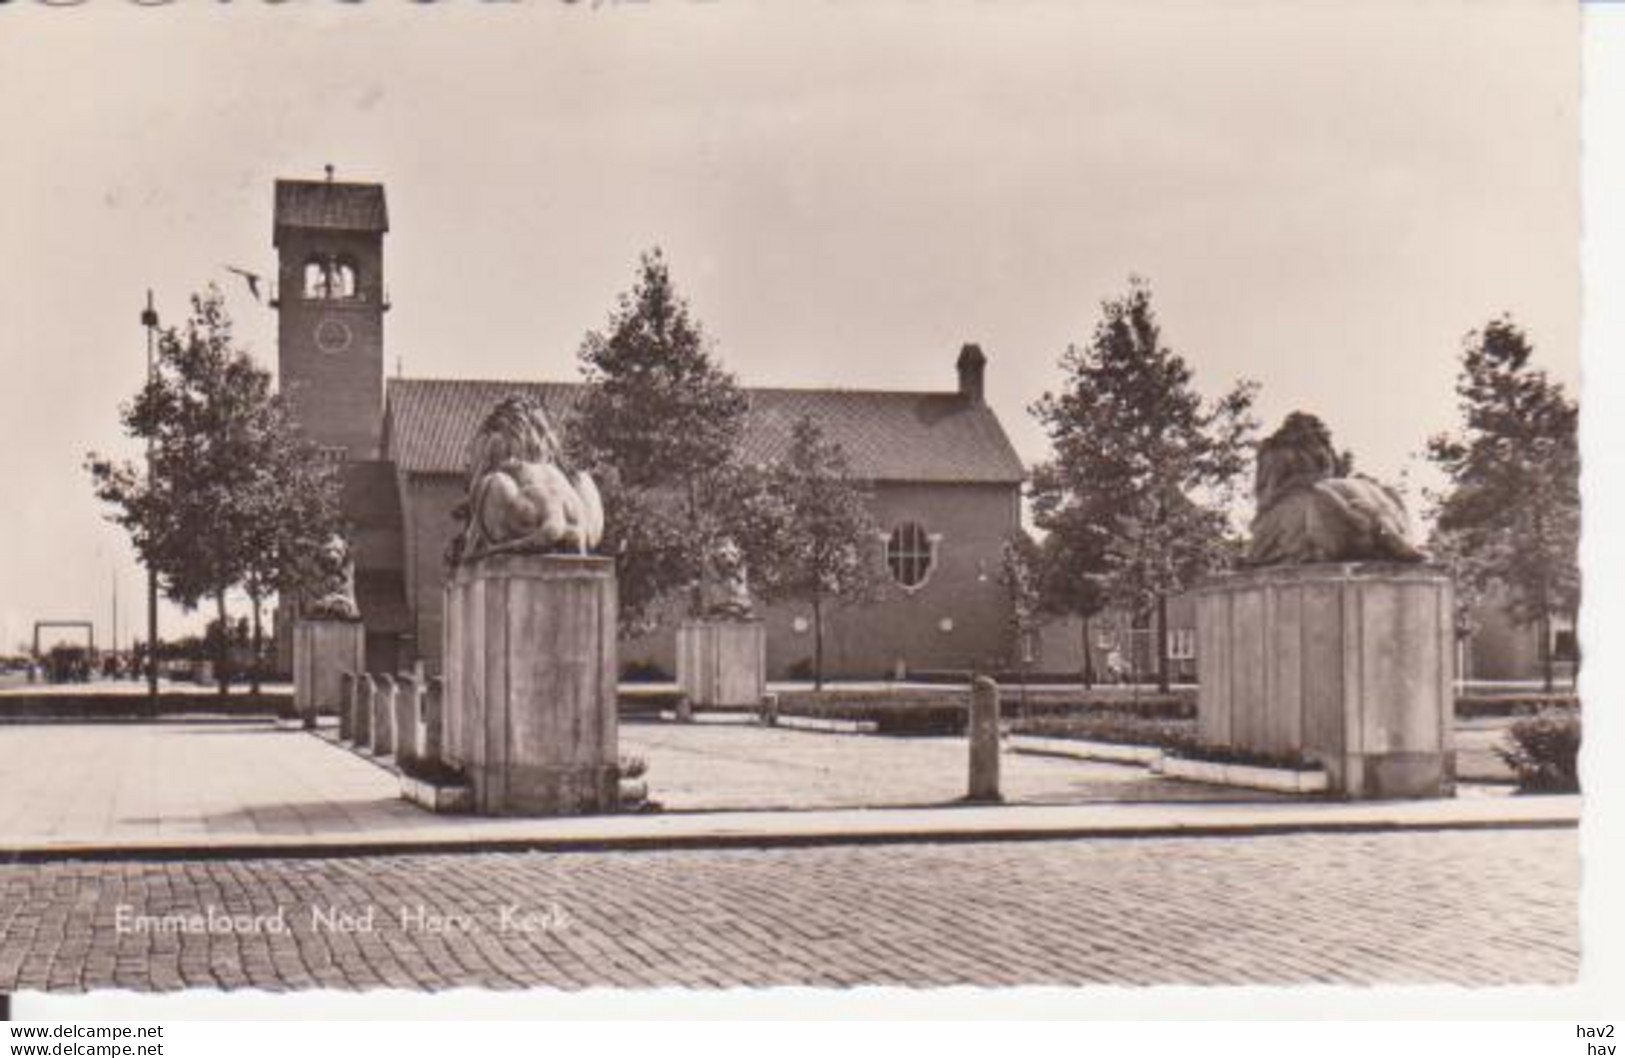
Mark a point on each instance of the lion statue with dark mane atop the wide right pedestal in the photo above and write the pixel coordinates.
(1311, 509)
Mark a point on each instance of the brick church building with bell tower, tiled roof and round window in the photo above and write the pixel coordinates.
(943, 479)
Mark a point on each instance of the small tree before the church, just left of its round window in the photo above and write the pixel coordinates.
(813, 534)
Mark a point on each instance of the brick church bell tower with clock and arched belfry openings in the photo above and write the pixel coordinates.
(331, 308)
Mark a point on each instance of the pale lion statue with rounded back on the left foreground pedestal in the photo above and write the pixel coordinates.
(519, 493)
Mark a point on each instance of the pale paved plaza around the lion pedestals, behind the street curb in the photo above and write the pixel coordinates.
(186, 783)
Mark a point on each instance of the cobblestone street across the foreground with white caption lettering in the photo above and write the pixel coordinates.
(1475, 908)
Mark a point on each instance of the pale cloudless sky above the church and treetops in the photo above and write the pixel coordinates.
(1325, 196)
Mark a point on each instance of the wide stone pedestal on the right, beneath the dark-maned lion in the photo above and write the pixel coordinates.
(1346, 664)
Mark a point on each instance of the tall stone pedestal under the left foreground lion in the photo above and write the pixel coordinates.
(531, 683)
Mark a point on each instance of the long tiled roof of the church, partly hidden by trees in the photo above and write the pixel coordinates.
(888, 436)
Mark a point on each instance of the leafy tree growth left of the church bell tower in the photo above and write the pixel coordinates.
(233, 498)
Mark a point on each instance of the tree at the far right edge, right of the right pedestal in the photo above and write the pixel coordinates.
(1512, 513)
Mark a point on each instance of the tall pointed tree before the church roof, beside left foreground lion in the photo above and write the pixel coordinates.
(659, 425)
